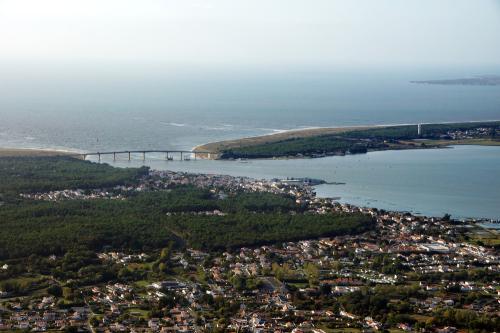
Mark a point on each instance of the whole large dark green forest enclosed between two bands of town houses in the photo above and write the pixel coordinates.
(141, 222)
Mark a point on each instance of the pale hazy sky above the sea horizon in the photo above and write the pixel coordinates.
(251, 32)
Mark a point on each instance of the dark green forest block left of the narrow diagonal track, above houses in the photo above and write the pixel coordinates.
(55, 228)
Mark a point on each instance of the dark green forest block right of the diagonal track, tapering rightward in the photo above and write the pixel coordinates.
(244, 229)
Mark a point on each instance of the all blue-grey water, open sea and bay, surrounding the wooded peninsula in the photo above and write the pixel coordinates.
(100, 111)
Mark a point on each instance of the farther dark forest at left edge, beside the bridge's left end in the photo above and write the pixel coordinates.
(39, 174)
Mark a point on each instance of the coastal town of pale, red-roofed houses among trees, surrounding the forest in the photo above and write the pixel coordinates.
(411, 273)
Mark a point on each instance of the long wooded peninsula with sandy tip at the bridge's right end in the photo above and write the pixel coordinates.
(321, 142)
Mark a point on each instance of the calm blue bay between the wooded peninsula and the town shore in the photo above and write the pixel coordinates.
(463, 181)
